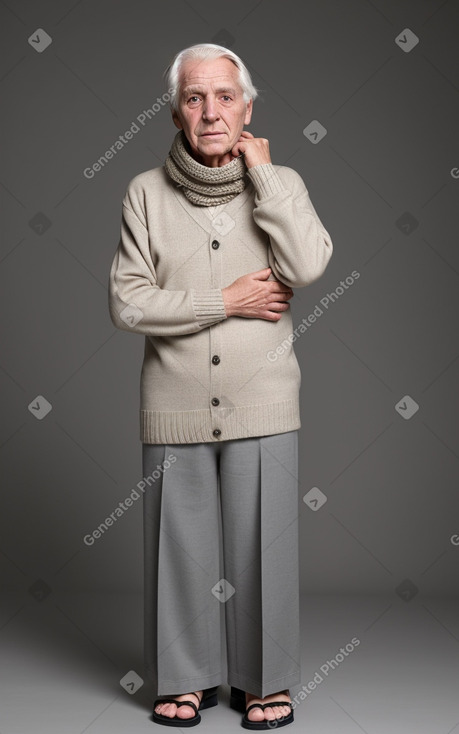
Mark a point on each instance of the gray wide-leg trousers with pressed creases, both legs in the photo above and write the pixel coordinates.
(249, 487)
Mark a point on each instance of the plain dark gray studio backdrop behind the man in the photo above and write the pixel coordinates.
(379, 439)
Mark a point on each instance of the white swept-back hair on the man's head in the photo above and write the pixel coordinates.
(200, 52)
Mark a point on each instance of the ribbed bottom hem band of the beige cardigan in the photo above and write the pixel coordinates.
(197, 426)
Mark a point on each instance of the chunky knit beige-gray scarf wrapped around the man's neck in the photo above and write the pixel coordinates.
(204, 185)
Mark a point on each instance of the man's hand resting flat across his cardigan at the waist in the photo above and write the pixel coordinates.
(253, 296)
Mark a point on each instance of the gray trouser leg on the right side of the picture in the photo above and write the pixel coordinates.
(259, 500)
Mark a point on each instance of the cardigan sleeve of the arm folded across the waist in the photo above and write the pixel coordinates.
(137, 303)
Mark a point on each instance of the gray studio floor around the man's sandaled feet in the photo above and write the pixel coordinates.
(63, 655)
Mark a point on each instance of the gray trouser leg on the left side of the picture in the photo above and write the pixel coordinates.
(181, 565)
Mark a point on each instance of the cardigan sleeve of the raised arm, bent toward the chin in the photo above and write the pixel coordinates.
(300, 245)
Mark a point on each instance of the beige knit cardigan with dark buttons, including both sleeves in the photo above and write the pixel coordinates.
(206, 376)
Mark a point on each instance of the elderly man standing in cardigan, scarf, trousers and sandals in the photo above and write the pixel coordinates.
(212, 244)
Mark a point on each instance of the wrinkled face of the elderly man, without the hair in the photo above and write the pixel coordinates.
(211, 109)
